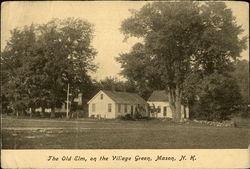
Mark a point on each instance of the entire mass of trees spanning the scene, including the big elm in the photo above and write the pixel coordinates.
(189, 49)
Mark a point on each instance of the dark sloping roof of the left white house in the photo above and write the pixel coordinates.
(125, 97)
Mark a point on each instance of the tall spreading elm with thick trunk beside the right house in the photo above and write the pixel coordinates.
(180, 40)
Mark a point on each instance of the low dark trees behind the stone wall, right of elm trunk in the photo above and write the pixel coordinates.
(235, 94)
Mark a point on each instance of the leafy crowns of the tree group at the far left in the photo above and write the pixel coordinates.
(40, 60)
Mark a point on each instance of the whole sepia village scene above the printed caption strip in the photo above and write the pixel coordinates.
(124, 75)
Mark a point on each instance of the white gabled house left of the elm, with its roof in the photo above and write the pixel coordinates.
(111, 104)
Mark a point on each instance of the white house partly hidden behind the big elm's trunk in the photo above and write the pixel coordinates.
(159, 99)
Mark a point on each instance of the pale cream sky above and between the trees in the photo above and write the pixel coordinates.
(106, 17)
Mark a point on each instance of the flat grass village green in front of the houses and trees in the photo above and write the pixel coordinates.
(116, 134)
